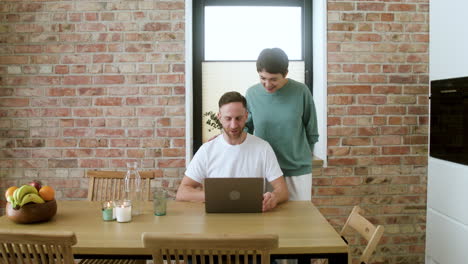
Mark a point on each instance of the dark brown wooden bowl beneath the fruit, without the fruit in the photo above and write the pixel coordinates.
(32, 213)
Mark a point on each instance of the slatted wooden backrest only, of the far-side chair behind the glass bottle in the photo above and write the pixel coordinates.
(108, 185)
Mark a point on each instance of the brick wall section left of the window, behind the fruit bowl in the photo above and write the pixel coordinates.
(91, 85)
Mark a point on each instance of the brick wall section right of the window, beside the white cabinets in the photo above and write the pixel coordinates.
(378, 121)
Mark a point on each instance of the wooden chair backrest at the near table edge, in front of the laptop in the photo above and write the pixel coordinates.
(207, 248)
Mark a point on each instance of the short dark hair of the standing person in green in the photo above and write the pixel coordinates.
(273, 61)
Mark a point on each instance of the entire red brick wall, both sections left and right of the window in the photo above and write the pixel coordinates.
(90, 85)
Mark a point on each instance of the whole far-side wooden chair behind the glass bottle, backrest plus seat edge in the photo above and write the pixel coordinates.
(108, 185)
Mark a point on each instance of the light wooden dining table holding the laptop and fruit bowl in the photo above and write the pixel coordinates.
(303, 231)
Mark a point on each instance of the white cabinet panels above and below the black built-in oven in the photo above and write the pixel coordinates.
(447, 193)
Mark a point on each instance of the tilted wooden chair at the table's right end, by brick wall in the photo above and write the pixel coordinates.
(366, 229)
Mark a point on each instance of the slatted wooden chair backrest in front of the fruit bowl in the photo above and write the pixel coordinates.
(36, 247)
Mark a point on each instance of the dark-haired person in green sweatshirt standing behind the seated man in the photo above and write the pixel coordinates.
(282, 112)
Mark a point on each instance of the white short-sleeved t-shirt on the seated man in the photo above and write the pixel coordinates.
(217, 158)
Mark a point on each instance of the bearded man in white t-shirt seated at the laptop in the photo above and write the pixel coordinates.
(234, 154)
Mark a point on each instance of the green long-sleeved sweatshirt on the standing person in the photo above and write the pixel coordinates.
(287, 120)
